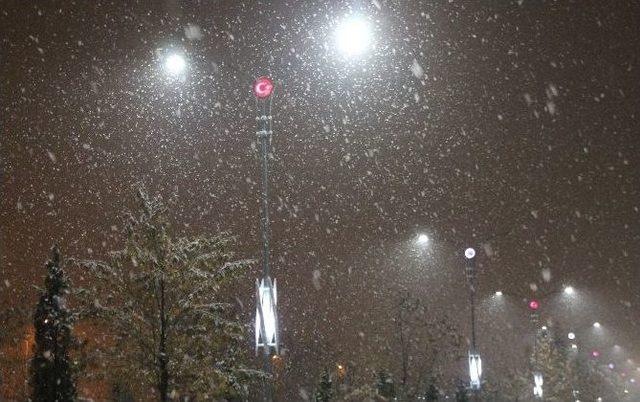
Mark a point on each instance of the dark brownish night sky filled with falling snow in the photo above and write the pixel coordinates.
(510, 126)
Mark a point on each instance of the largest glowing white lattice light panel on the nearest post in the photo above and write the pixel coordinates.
(266, 315)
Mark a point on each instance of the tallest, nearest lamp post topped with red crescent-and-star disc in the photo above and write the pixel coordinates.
(267, 332)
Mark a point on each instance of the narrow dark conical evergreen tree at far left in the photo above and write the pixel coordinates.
(52, 371)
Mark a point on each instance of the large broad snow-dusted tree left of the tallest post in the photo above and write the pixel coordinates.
(160, 299)
